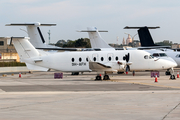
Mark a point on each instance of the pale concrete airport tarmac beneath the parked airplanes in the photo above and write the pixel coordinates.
(124, 97)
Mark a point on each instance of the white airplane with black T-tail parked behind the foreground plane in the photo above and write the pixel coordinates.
(156, 50)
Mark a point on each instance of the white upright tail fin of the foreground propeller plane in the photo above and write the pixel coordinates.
(24, 48)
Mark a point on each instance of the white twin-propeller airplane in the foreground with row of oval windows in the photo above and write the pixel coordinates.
(99, 61)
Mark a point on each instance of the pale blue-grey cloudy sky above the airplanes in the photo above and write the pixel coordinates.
(111, 15)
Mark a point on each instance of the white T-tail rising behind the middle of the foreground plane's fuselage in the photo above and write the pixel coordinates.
(95, 38)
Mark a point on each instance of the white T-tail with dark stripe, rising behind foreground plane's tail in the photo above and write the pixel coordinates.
(34, 32)
